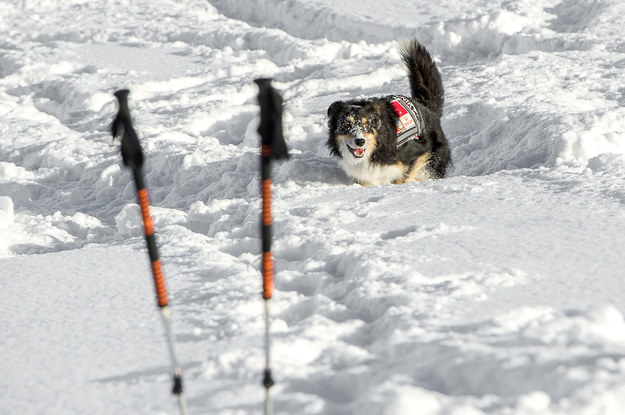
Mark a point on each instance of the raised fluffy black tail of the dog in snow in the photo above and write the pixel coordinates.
(425, 80)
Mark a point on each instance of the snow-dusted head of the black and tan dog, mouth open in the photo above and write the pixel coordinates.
(353, 127)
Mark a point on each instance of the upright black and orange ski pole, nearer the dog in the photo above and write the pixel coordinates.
(272, 146)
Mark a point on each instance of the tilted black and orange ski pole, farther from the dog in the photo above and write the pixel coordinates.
(132, 156)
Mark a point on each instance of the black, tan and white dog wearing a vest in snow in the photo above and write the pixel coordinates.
(394, 139)
